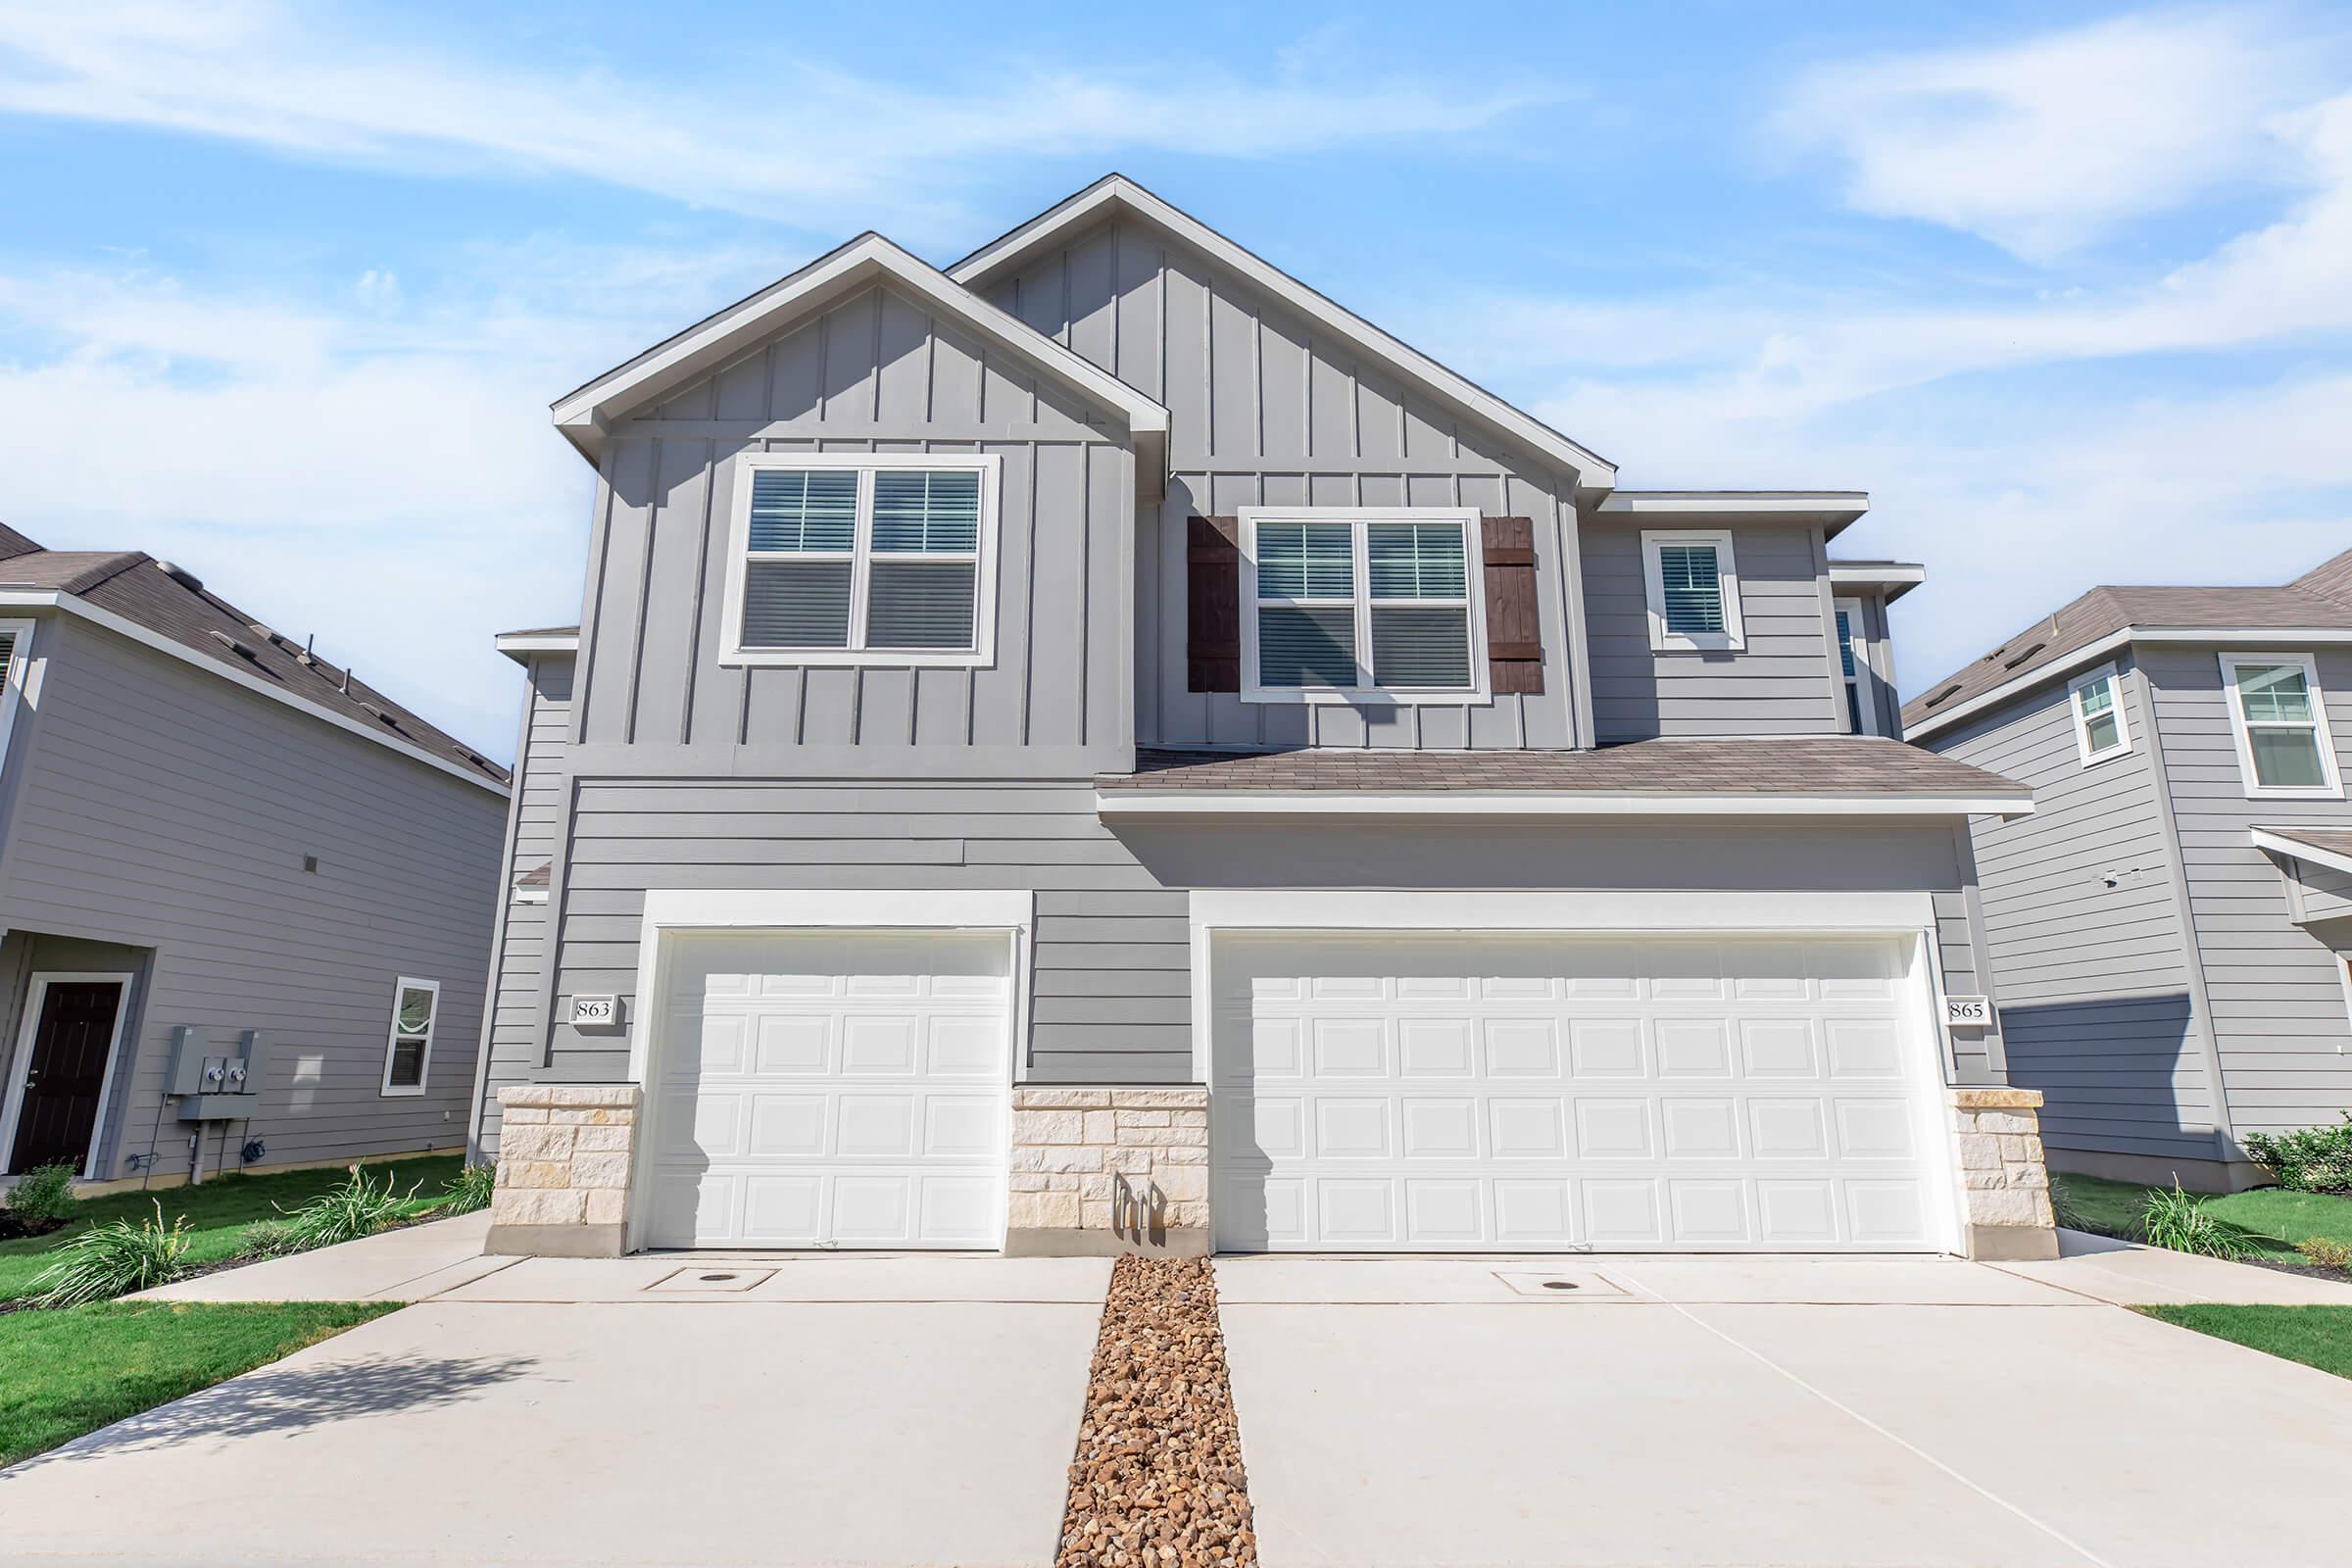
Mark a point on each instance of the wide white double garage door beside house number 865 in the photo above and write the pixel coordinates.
(1532, 1094)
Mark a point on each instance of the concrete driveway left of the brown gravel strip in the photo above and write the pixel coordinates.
(794, 1412)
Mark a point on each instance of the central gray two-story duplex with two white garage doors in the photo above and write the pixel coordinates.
(1107, 749)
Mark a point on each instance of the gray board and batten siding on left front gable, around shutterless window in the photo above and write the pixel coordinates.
(871, 375)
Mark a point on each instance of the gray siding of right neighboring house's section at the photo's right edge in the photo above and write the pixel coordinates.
(2278, 1000)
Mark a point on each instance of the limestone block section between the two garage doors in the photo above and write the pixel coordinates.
(1109, 1172)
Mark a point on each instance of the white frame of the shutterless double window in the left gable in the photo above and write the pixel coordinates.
(860, 556)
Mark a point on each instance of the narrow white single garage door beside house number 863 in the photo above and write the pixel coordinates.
(834, 1090)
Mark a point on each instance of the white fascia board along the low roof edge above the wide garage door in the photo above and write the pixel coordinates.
(1532, 803)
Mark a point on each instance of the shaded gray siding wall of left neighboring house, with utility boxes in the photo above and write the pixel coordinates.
(168, 810)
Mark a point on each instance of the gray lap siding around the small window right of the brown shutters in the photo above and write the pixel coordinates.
(1782, 683)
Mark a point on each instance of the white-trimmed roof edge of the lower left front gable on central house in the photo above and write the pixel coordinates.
(587, 413)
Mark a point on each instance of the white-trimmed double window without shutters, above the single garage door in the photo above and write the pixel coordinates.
(862, 561)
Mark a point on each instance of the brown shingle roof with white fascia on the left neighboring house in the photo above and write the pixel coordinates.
(171, 610)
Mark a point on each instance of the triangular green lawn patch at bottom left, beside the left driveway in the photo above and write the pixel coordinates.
(65, 1374)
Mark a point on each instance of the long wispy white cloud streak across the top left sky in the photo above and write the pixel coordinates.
(782, 140)
